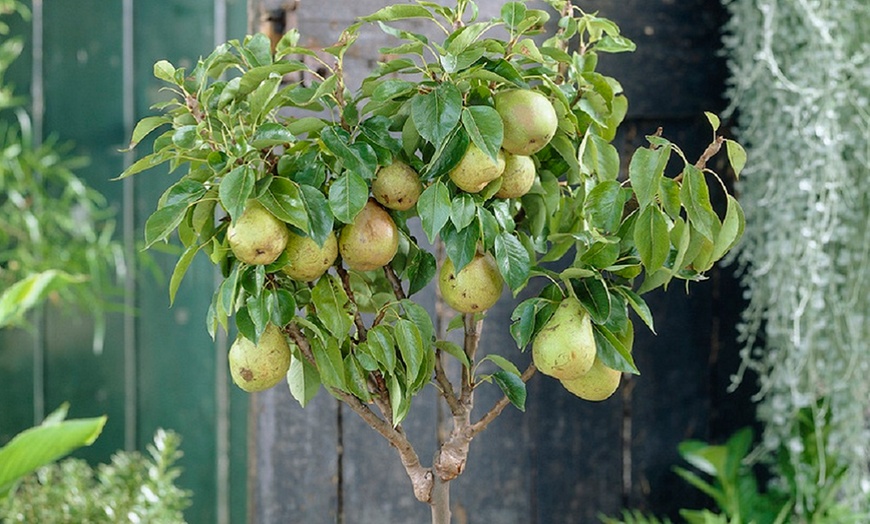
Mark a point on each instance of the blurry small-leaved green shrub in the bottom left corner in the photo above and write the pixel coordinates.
(131, 488)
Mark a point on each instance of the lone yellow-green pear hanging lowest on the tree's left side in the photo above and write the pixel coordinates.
(257, 367)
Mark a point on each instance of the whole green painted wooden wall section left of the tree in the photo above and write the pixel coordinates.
(177, 384)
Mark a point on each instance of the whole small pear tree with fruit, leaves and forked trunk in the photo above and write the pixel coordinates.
(475, 162)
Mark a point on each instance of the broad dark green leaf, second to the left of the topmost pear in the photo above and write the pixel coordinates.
(436, 113)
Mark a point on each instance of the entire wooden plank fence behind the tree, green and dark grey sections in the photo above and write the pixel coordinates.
(262, 458)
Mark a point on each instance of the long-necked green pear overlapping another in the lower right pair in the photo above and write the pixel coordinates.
(565, 346)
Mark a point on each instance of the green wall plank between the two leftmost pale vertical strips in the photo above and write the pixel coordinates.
(82, 80)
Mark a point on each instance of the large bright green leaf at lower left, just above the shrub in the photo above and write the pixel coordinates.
(43, 444)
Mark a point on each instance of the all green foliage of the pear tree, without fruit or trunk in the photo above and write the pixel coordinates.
(253, 123)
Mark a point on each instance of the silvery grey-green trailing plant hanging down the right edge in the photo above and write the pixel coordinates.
(800, 90)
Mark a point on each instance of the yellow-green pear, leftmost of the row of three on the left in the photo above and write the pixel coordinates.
(256, 237)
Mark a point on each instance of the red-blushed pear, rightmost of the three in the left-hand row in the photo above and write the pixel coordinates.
(371, 240)
